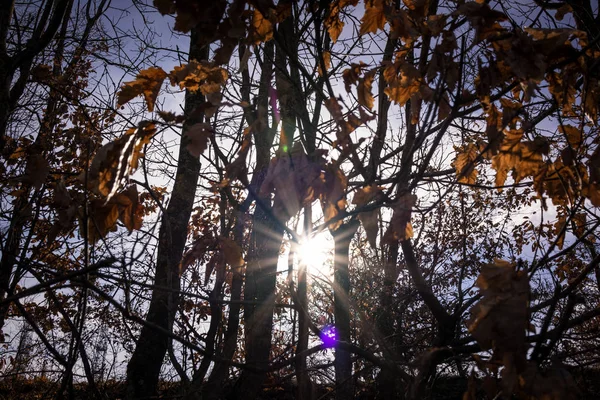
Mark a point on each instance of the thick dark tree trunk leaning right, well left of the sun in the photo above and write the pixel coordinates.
(144, 367)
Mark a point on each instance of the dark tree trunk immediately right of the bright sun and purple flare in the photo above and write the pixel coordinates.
(341, 288)
